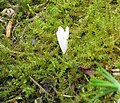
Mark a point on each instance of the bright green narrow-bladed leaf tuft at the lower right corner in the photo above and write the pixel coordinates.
(104, 87)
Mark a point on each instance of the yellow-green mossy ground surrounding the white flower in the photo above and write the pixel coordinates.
(94, 37)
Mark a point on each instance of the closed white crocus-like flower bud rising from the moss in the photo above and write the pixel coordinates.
(62, 37)
